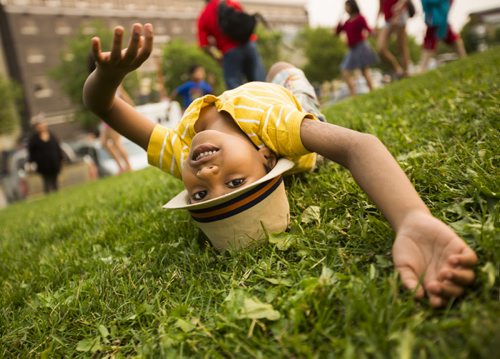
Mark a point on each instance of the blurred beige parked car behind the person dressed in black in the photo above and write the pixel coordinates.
(20, 182)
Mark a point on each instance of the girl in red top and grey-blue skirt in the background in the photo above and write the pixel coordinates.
(360, 55)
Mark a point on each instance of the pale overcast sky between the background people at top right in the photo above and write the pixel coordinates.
(328, 12)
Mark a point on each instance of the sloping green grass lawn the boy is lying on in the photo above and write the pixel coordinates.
(101, 270)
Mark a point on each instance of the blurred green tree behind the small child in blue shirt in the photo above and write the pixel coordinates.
(178, 56)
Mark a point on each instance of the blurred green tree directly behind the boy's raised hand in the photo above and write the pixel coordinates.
(74, 61)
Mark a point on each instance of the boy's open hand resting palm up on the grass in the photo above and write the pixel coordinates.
(429, 251)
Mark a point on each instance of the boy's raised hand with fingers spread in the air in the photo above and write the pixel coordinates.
(118, 62)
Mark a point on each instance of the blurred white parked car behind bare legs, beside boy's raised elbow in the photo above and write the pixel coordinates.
(106, 165)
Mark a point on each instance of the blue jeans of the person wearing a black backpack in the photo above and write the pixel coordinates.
(242, 61)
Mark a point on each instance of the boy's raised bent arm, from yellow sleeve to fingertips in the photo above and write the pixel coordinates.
(111, 68)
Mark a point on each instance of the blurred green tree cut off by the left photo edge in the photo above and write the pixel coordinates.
(11, 94)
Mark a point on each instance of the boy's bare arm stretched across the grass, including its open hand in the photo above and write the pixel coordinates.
(426, 250)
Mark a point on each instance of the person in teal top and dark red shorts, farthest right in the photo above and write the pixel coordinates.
(438, 28)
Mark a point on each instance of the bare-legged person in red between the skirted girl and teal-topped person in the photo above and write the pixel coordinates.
(396, 15)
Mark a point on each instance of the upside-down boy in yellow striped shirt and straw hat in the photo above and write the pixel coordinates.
(228, 150)
